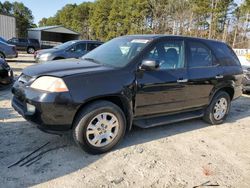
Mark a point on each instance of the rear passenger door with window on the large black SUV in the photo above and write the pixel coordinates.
(203, 73)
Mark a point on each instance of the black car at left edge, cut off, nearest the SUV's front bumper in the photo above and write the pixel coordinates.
(6, 74)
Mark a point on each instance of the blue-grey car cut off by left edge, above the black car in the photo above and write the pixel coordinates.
(7, 50)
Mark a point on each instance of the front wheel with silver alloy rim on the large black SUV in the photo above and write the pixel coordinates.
(99, 127)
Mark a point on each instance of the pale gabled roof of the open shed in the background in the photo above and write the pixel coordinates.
(54, 29)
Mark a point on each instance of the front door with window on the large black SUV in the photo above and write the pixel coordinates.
(163, 90)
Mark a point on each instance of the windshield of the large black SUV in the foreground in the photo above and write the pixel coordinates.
(117, 52)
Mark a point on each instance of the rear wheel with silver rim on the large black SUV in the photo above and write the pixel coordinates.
(218, 109)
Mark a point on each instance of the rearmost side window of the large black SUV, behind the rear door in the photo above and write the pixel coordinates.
(225, 55)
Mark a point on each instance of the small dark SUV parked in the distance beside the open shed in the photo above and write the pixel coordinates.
(29, 45)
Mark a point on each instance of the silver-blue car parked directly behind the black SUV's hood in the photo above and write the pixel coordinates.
(71, 49)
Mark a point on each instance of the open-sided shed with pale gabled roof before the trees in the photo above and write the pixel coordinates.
(52, 35)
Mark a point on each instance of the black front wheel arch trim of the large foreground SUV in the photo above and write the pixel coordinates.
(120, 101)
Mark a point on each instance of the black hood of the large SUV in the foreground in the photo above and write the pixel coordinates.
(61, 68)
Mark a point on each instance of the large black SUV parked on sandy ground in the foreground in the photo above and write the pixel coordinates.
(142, 80)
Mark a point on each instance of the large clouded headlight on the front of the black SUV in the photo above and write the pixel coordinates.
(50, 84)
